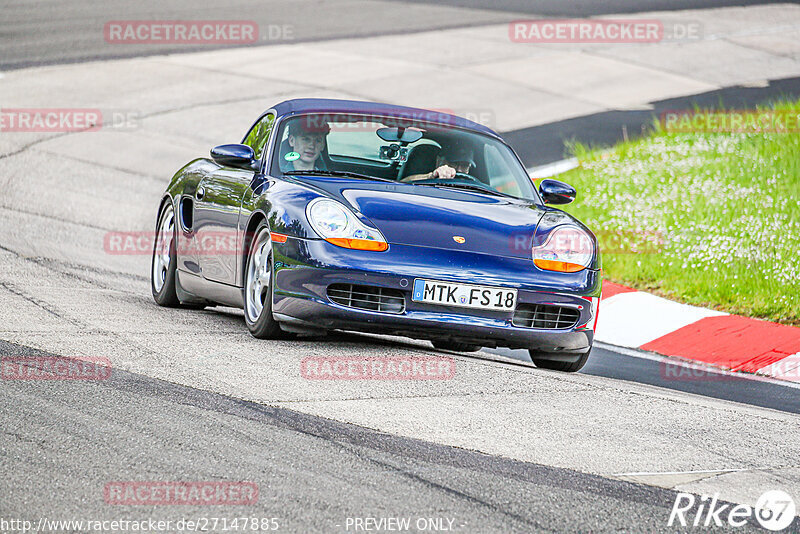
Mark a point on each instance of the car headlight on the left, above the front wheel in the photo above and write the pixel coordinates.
(338, 225)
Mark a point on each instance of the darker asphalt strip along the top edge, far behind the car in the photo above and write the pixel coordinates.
(51, 31)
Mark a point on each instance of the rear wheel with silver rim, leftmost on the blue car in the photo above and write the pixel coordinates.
(162, 274)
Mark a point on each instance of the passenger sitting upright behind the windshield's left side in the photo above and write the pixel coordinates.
(303, 148)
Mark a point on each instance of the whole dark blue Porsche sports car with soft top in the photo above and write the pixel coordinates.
(368, 217)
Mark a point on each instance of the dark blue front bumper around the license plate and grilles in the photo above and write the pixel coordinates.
(304, 268)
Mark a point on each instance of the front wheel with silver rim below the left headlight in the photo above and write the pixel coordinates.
(258, 314)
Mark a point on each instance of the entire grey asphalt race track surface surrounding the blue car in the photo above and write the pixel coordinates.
(502, 447)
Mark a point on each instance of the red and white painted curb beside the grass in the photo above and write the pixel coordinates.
(639, 320)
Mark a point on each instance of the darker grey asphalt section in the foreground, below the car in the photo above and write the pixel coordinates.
(318, 472)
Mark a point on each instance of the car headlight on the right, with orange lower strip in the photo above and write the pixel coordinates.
(568, 249)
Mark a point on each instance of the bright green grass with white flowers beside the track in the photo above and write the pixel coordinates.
(711, 219)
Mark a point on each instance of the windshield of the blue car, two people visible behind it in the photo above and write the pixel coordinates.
(399, 149)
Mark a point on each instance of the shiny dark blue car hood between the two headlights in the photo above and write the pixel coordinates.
(443, 218)
